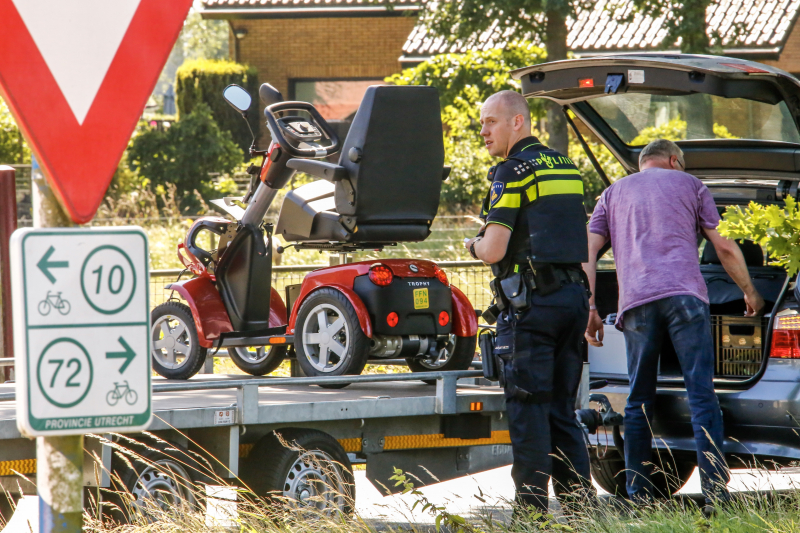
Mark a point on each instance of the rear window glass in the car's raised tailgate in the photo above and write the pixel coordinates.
(640, 118)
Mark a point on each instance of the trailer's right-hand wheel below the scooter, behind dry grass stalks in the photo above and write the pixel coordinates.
(304, 469)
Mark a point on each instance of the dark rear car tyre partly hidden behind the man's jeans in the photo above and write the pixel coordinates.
(610, 475)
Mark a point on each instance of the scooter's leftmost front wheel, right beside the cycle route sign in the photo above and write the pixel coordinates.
(177, 353)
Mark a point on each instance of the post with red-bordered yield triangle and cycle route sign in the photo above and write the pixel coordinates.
(76, 76)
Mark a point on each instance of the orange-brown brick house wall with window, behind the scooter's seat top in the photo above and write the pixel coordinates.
(325, 52)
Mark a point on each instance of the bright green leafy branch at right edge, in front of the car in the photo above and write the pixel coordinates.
(776, 230)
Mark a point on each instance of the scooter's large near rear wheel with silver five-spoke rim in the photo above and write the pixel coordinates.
(328, 337)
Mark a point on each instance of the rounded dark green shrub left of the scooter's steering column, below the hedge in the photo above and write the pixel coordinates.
(184, 154)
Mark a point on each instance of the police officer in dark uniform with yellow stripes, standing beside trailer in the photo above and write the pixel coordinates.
(535, 239)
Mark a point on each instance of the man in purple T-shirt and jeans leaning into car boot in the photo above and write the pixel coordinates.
(653, 219)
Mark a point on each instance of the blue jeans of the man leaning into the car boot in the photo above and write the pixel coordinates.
(687, 321)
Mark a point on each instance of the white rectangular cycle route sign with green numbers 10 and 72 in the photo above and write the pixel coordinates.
(81, 330)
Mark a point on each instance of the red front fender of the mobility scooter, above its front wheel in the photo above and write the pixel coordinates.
(210, 317)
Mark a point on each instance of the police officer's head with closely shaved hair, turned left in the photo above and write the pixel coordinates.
(505, 120)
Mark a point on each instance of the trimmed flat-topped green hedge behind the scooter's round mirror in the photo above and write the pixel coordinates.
(204, 80)
